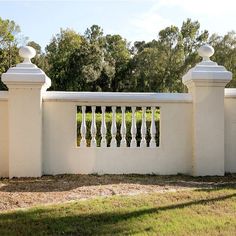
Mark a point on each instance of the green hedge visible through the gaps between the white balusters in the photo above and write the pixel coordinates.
(128, 118)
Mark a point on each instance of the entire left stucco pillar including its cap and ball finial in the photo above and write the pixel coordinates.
(26, 83)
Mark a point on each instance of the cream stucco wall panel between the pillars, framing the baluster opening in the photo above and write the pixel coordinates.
(61, 154)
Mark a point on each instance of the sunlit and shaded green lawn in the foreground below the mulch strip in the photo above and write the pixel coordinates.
(189, 212)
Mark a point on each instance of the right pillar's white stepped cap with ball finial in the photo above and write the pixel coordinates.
(207, 72)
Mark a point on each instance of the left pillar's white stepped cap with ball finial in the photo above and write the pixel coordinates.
(26, 74)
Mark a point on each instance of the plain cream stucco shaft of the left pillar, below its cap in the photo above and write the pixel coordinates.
(25, 133)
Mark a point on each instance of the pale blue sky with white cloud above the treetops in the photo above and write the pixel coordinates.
(134, 20)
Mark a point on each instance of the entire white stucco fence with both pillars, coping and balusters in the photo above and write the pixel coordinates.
(38, 128)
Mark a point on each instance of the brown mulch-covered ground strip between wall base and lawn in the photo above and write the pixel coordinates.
(28, 192)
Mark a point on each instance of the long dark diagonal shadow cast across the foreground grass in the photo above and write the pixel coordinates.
(57, 221)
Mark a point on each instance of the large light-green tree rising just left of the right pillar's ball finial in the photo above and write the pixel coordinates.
(160, 64)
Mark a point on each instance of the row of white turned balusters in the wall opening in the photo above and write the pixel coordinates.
(123, 129)
